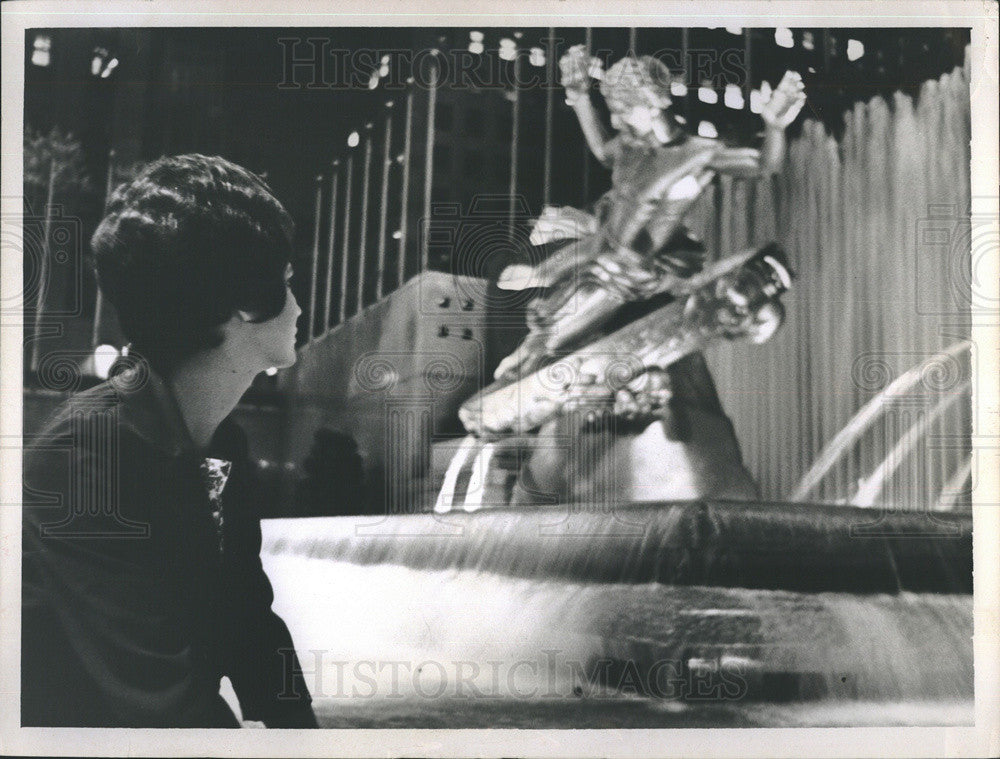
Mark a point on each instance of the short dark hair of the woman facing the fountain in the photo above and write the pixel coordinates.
(188, 242)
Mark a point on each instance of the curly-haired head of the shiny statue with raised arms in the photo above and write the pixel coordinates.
(637, 91)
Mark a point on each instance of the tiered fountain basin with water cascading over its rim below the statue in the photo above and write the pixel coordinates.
(674, 614)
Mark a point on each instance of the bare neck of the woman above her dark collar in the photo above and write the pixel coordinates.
(206, 391)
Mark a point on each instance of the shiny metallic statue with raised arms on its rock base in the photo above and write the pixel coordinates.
(628, 304)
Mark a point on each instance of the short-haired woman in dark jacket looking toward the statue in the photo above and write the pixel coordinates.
(142, 581)
